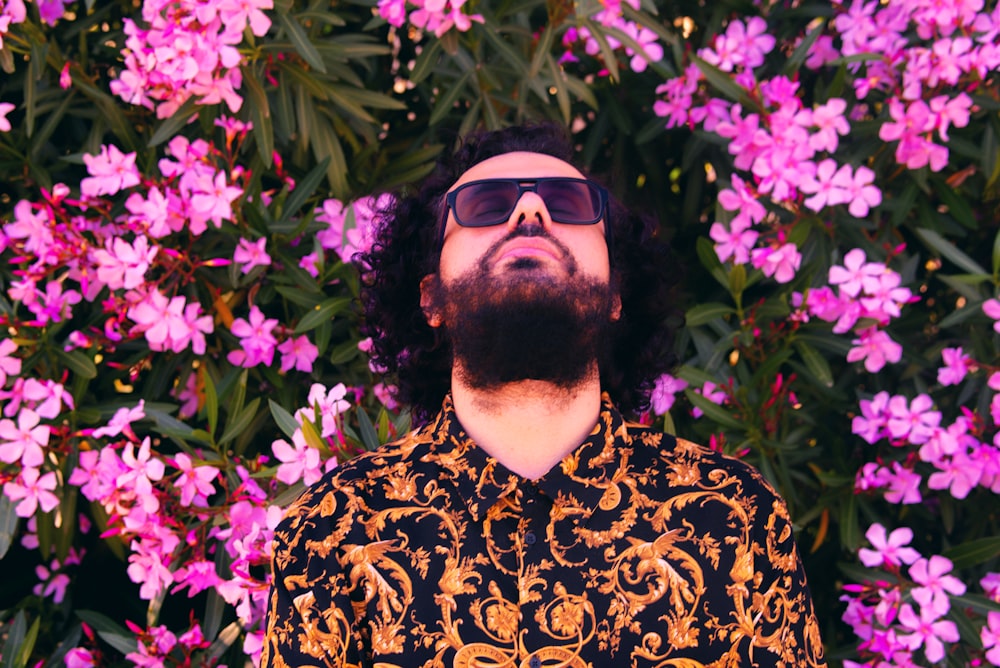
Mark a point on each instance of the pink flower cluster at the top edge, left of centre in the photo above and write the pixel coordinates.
(188, 49)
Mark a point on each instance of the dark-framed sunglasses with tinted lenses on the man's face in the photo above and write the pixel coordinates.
(492, 201)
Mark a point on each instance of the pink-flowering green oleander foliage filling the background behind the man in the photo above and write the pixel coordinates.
(182, 182)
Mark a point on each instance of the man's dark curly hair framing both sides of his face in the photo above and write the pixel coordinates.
(417, 358)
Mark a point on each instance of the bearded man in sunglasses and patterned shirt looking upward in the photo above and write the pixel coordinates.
(526, 523)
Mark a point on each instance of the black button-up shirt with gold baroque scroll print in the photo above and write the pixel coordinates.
(638, 549)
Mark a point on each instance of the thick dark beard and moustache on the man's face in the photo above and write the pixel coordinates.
(526, 324)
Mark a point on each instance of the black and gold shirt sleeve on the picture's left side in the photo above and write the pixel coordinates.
(309, 619)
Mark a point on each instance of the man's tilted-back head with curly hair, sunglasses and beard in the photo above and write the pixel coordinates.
(499, 265)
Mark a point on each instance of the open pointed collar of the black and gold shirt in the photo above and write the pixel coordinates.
(580, 479)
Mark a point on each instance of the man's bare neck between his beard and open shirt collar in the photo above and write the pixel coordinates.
(530, 425)
